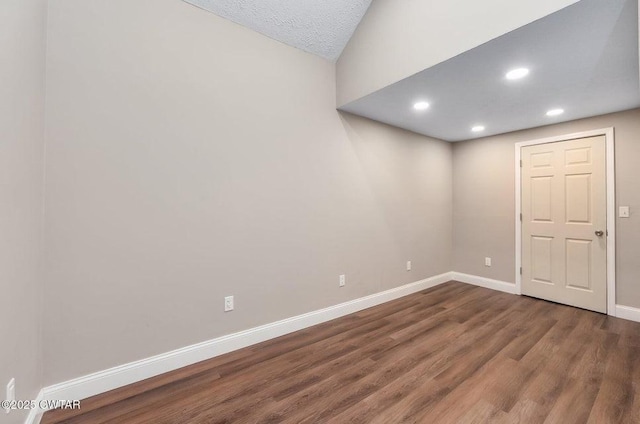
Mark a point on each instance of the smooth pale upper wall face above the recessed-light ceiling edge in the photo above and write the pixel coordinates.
(397, 39)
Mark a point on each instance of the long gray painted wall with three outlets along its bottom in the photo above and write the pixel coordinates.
(188, 159)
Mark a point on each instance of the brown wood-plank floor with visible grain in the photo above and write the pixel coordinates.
(452, 354)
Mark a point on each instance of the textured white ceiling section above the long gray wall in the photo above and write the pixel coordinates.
(321, 27)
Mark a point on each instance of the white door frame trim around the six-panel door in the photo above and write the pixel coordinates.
(608, 133)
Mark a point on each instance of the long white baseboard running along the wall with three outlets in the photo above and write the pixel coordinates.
(113, 378)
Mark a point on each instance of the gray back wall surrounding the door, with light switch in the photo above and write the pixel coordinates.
(484, 200)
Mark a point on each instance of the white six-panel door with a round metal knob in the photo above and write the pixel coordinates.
(564, 212)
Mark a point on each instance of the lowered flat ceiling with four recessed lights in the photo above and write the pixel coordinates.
(583, 58)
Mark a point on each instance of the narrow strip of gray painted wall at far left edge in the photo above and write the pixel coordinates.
(22, 73)
